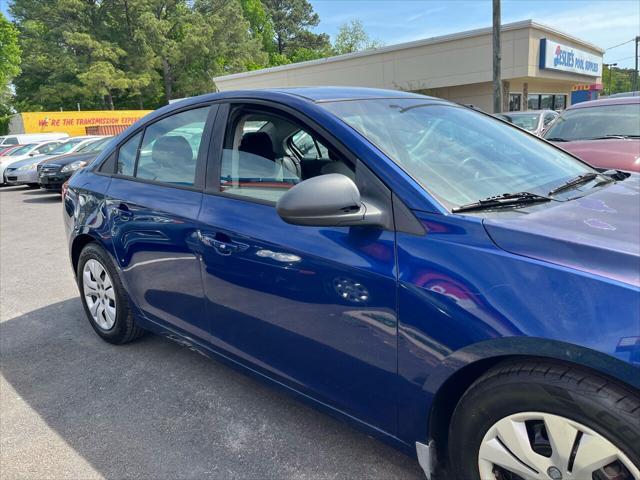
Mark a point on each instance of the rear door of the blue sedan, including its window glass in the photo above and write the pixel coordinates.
(153, 201)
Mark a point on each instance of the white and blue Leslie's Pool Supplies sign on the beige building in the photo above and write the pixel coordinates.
(555, 56)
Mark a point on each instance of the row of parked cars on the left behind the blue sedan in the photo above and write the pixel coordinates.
(47, 163)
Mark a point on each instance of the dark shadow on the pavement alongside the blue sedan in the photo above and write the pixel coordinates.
(154, 409)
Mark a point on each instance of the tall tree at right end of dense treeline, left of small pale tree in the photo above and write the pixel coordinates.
(291, 22)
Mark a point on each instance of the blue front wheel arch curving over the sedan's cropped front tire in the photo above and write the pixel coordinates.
(459, 371)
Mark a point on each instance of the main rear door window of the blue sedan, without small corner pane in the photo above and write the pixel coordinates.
(169, 149)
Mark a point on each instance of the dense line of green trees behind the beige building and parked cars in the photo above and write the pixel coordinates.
(97, 54)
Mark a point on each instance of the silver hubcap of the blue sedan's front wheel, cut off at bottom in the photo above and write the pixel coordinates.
(541, 446)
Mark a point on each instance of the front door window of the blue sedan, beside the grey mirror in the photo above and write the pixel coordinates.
(265, 154)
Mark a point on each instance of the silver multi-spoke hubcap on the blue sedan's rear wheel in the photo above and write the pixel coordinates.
(99, 294)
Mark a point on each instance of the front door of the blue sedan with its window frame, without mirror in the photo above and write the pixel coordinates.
(313, 307)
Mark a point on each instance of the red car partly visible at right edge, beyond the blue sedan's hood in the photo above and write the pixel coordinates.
(604, 133)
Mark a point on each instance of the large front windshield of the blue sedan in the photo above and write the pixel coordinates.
(457, 154)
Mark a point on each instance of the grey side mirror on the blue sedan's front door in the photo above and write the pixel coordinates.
(327, 200)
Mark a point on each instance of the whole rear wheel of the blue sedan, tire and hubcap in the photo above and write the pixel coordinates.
(104, 298)
